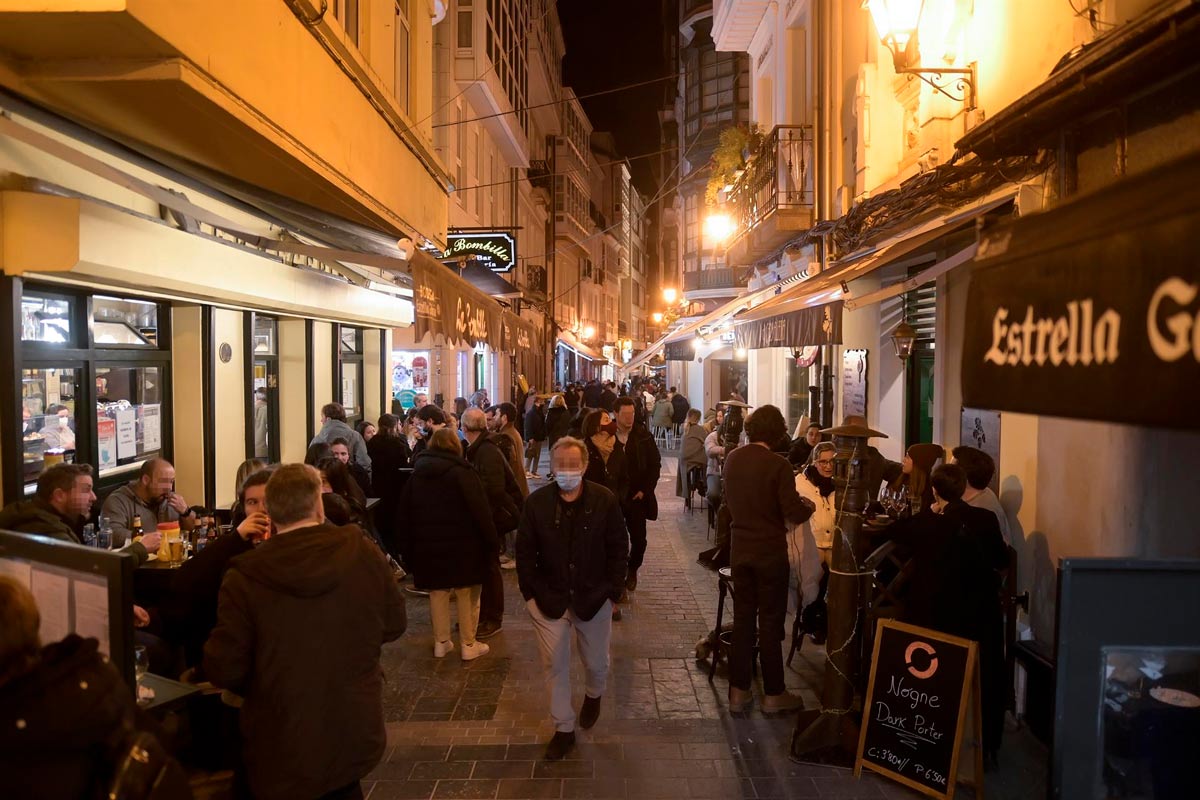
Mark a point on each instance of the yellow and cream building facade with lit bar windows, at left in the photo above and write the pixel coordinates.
(238, 212)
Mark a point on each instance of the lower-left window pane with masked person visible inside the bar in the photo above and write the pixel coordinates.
(49, 418)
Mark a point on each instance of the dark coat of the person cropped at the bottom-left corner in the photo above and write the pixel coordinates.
(62, 725)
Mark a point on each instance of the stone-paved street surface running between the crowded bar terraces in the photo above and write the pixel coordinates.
(479, 730)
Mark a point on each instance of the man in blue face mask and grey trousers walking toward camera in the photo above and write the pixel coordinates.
(572, 558)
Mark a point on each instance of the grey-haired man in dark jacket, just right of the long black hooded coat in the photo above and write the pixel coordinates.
(505, 498)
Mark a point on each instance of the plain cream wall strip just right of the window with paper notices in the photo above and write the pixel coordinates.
(188, 401)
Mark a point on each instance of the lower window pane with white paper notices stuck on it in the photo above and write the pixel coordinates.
(129, 416)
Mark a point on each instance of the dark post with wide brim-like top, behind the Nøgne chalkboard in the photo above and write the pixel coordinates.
(830, 735)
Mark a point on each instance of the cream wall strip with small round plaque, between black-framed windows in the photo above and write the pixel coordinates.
(230, 395)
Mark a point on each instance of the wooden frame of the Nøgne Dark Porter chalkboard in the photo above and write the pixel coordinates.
(971, 691)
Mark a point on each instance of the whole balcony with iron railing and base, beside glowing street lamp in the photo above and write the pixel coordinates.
(772, 200)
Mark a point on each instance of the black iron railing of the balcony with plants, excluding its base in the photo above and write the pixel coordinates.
(779, 176)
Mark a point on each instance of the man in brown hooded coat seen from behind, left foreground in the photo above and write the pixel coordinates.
(301, 624)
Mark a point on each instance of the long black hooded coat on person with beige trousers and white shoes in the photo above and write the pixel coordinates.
(449, 533)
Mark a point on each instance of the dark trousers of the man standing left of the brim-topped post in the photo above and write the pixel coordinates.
(760, 601)
